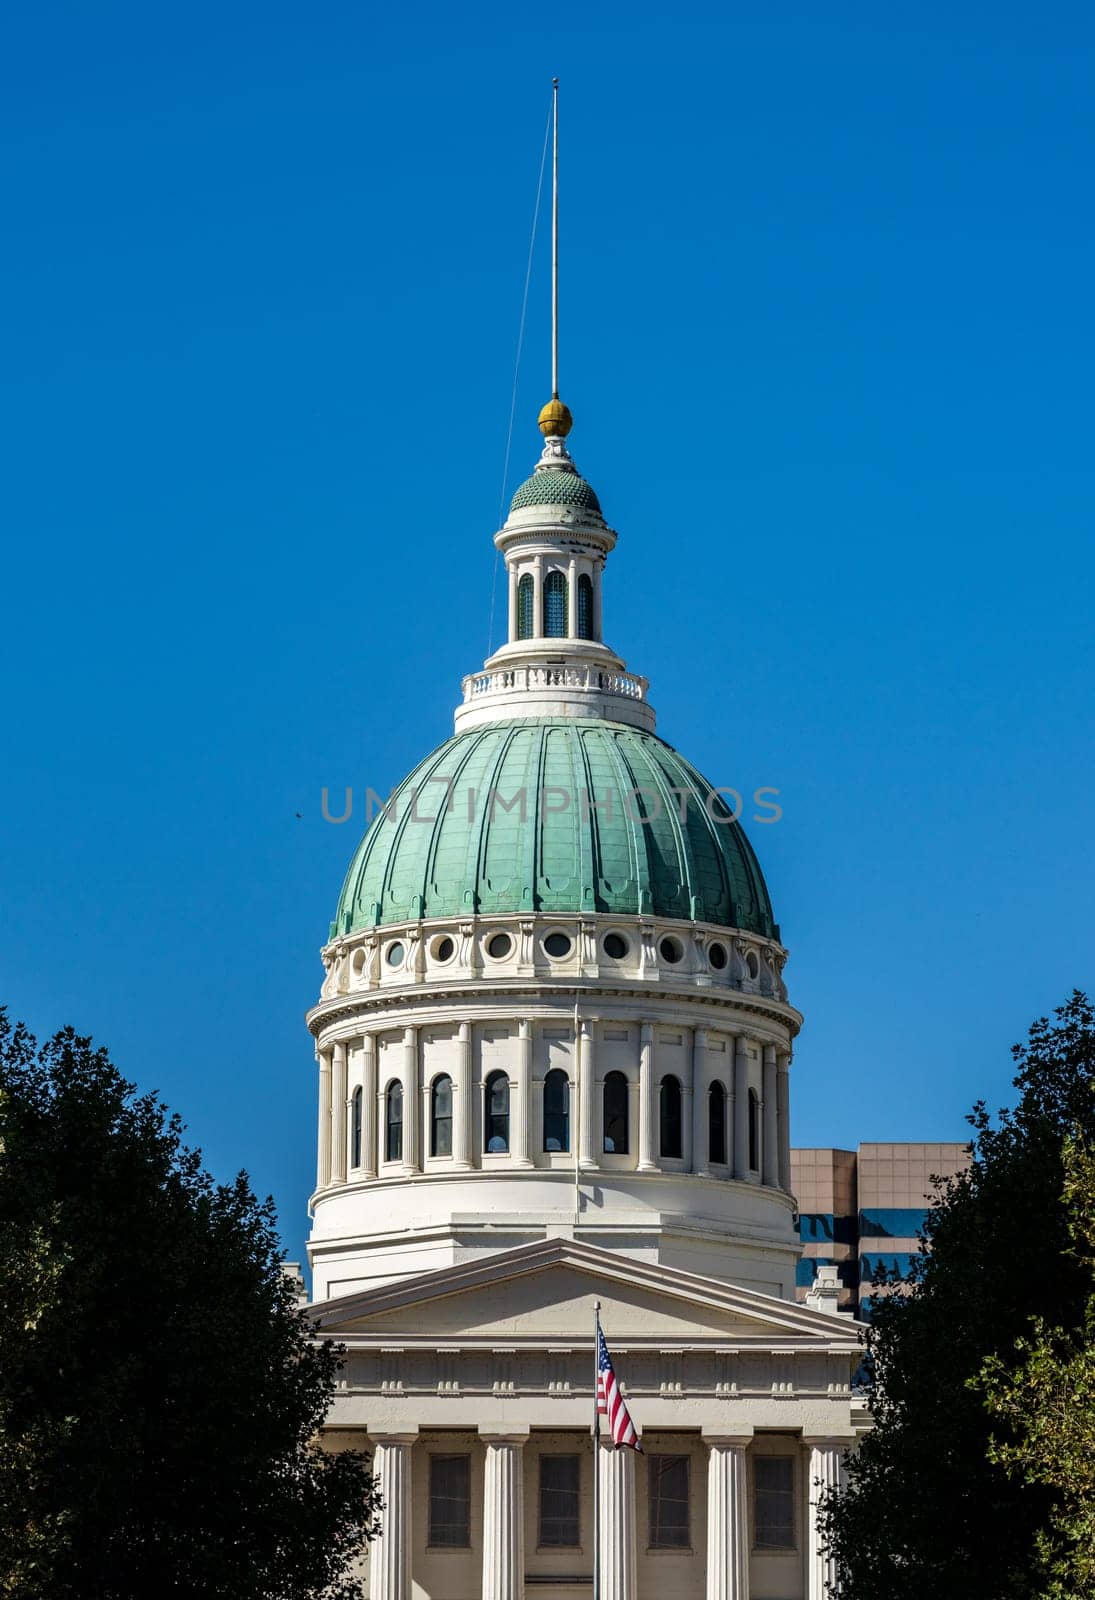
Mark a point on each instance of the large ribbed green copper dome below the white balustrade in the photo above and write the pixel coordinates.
(441, 849)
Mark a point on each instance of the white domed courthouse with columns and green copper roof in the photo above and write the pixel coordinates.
(555, 1068)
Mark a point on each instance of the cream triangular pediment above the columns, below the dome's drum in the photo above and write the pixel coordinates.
(547, 1292)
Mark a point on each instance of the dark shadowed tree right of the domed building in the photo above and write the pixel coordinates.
(928, 1514)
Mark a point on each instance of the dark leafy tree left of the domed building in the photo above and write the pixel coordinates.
(161, 1394)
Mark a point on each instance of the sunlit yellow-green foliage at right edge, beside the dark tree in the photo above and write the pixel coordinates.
(1048, 1406)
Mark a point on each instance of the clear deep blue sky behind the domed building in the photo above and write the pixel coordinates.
(828, 337)
